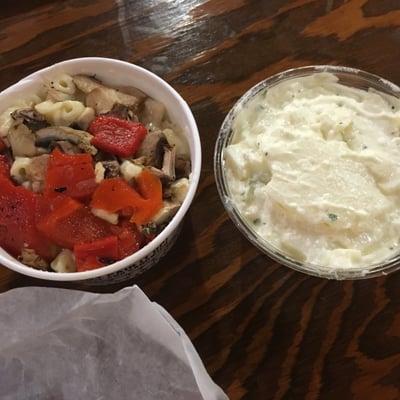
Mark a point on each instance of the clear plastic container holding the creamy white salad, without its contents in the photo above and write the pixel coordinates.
(347, 76)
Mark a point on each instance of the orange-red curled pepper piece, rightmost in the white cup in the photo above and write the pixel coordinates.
(114, 195)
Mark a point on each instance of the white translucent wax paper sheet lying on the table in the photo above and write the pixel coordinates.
(66, 344)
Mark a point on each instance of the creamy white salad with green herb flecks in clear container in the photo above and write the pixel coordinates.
(314, 167)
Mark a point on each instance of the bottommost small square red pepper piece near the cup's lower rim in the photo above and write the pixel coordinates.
(91, 255)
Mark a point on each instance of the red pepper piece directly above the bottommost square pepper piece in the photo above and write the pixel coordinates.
(70, 223)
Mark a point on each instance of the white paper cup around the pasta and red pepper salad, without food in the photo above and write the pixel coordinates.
(119, 73)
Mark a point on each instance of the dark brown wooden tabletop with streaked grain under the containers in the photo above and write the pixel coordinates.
(263, 330)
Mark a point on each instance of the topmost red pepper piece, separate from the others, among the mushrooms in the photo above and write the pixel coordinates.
(117, 136)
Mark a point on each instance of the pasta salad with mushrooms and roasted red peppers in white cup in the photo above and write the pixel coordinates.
(89, 174)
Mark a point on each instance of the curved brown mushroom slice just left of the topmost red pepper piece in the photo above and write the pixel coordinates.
(46, 136)
